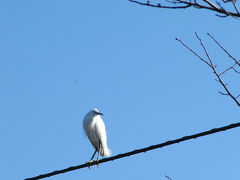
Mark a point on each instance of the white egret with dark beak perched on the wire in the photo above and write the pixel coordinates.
(94, 128)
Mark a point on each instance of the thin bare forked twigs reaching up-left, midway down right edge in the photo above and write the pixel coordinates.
(210, 63)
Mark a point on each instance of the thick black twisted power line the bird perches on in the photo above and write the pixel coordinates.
(137, 151)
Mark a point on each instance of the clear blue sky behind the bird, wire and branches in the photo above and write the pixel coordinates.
(59, 59)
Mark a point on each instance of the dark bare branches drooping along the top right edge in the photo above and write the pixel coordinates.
(204, 4)
